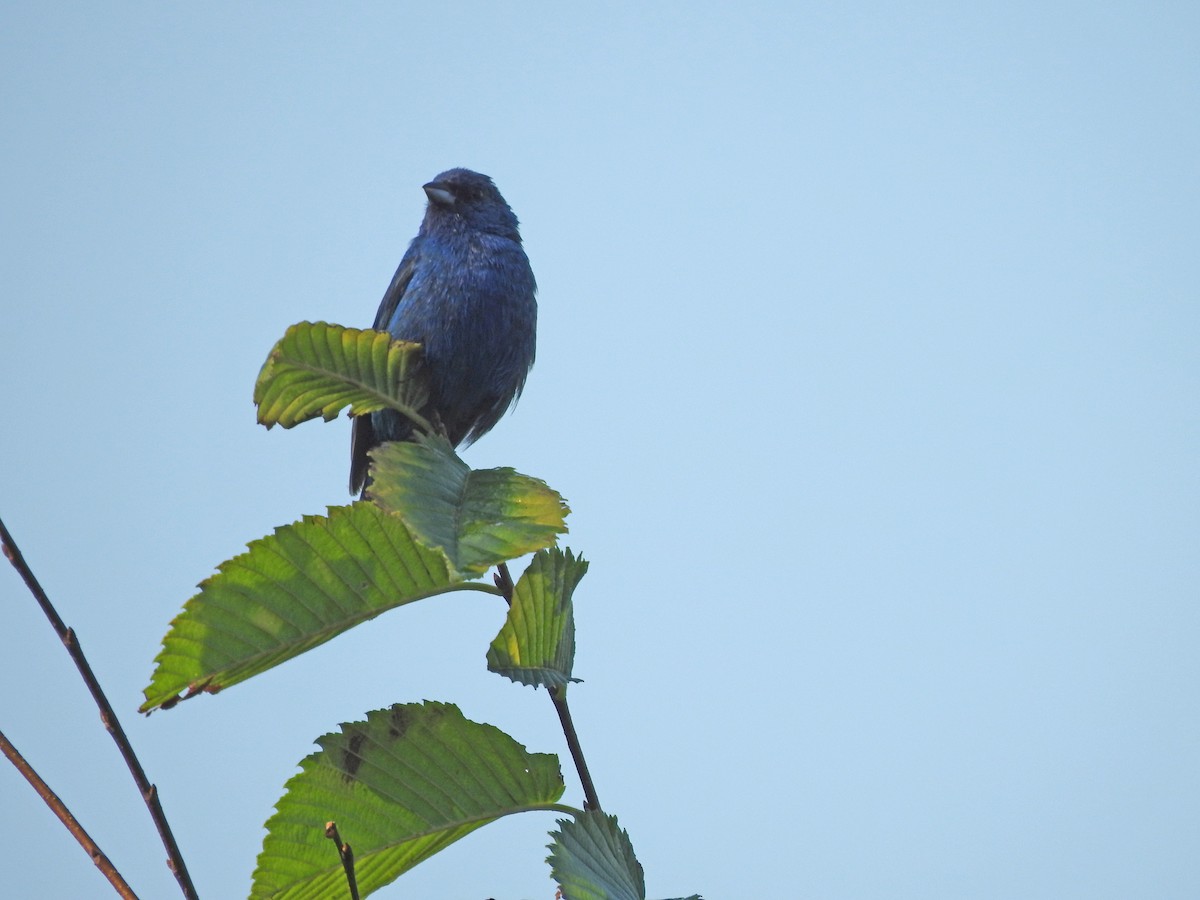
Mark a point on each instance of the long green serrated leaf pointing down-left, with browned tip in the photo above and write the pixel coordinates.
(291, 592)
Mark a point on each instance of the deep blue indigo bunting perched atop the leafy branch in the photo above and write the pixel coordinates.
(465, 292)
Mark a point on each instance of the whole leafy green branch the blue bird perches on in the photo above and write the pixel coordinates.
(416, 778)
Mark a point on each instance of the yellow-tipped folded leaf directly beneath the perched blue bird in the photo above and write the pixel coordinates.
(478, 518)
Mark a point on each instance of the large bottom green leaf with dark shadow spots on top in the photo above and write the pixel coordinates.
(401, 787)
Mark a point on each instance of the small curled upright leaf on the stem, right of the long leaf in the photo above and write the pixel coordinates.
(537, 643)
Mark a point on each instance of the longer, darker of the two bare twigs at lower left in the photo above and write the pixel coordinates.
(148, 791)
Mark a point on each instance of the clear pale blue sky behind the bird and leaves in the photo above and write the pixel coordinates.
(868, 363)
